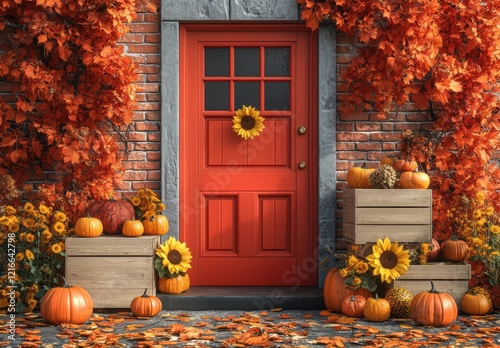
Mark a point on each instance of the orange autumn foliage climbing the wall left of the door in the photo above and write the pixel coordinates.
(71, 85)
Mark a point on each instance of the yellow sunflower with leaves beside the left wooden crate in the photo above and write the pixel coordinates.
(172, 259)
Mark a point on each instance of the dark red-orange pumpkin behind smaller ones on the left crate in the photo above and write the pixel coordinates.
(112, 213)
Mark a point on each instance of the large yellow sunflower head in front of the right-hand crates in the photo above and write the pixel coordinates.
(388, 260)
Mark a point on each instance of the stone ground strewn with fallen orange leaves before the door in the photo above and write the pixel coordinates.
(286, 328)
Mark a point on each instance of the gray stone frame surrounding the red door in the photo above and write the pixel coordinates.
(173, 13)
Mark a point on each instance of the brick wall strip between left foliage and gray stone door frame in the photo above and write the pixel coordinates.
(142, 163)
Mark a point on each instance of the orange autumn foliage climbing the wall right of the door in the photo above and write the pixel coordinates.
(440, 57)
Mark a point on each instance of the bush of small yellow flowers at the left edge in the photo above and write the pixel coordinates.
(32, 239)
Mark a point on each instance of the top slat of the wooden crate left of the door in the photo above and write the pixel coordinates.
(112, 245)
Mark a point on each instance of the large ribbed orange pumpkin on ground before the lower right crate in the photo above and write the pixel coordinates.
(433, 308)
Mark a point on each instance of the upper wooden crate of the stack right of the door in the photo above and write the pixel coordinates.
(403, 215)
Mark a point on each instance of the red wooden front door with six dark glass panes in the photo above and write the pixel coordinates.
(248, 207)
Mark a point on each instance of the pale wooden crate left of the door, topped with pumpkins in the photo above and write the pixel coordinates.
(113, 269)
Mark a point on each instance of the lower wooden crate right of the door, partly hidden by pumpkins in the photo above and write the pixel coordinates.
(450, 278)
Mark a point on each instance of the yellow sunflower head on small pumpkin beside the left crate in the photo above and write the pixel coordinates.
(174, 256)
